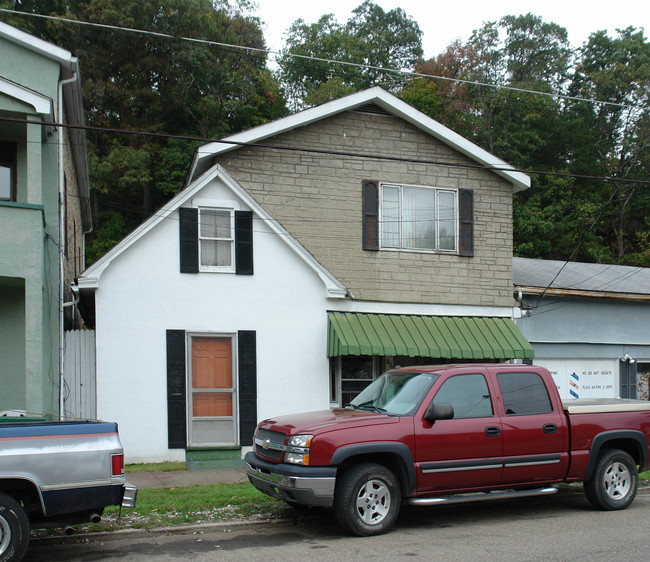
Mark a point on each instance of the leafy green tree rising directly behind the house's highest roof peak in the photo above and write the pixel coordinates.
(373, 38)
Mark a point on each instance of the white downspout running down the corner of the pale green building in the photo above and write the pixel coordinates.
(62, 240)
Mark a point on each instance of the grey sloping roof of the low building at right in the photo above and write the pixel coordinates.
(581, 279)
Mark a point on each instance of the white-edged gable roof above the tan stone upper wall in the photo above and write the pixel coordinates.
(377, 96)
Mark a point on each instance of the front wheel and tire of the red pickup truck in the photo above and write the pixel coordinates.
(367, 499)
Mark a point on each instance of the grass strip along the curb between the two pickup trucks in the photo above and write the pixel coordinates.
(160, 507)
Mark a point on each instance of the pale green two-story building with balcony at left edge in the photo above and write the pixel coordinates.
(44, 213)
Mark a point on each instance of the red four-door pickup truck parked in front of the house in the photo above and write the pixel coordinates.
(451, 433)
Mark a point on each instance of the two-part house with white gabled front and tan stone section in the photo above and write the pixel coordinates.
(302, 258)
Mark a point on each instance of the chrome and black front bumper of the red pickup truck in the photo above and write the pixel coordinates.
(305, 485)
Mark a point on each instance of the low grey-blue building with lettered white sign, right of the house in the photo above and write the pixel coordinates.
(589, 325)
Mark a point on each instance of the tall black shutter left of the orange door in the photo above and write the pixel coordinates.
(176, 396)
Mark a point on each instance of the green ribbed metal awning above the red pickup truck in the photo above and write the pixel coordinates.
(445, 337)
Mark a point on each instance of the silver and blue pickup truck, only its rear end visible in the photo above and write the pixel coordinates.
(57, 474)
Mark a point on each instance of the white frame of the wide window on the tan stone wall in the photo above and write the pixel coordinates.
(400, 247)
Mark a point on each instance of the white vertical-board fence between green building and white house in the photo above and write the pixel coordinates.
(79, 383)
